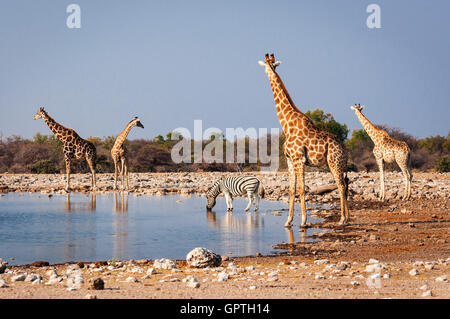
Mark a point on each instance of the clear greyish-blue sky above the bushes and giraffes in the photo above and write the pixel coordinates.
(172, 62)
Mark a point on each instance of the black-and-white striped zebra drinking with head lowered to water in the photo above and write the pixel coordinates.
(235, 186)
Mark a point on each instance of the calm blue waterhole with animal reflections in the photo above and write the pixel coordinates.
(80, 227)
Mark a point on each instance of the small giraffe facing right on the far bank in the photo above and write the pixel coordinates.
(119, 151)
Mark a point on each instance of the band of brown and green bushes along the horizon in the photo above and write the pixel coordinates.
(43, 153)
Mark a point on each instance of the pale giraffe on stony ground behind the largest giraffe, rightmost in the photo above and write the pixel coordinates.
(387, 150)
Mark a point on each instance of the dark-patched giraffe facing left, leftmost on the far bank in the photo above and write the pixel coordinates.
(73, 146)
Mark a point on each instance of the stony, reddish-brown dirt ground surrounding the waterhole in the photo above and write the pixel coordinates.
(407, 242)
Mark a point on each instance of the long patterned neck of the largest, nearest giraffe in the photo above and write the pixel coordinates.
(283, 102)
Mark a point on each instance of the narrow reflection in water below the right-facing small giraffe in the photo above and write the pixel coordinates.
(120, 225)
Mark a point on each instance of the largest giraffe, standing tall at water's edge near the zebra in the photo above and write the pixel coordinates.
(306, 145)
